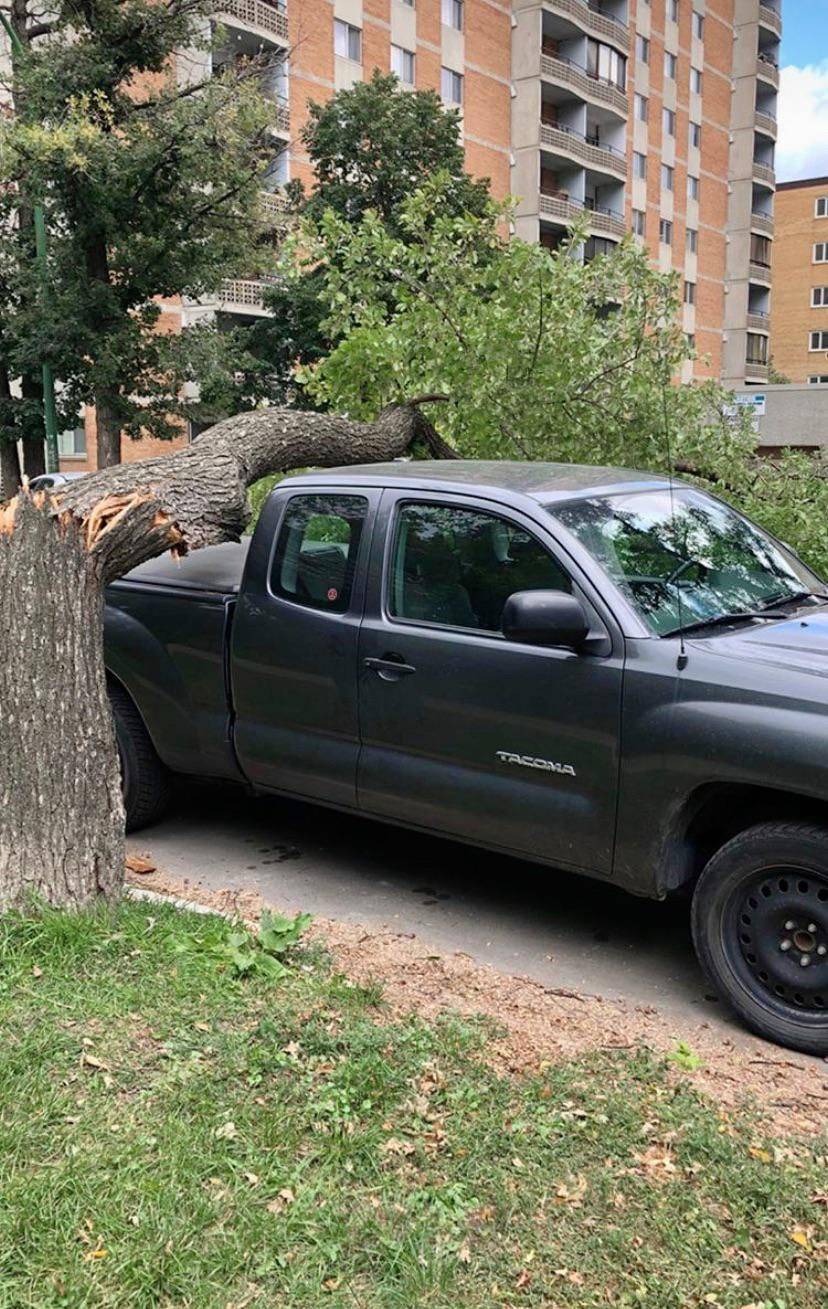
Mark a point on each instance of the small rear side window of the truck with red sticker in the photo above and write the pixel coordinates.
(317, 550)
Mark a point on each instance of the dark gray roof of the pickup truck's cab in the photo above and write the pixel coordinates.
(543, 482)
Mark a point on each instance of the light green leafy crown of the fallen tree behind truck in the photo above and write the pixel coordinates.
(540, 357)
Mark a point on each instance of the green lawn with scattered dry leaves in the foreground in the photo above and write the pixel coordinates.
(177, 1136)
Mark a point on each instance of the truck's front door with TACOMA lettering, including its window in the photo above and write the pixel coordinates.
(506, 744)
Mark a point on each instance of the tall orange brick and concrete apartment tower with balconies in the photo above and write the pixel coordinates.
(653, 116)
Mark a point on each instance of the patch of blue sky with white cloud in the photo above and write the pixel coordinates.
(802, 147)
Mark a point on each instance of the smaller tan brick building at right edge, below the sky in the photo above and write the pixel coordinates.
(800, 320)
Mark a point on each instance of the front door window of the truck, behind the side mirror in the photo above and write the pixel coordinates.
(457, 567)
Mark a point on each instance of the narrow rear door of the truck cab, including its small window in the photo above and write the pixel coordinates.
(295, 645)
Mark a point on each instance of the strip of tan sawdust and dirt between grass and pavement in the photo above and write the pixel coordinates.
(545, 1024)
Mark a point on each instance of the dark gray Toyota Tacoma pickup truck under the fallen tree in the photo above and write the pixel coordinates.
(592, 668)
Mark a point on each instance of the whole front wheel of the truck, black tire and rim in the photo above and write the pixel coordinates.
(761, 930)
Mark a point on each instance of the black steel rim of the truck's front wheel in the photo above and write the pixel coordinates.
(776, 939)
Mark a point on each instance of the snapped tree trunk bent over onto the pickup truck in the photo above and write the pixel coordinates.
(62, 833)
